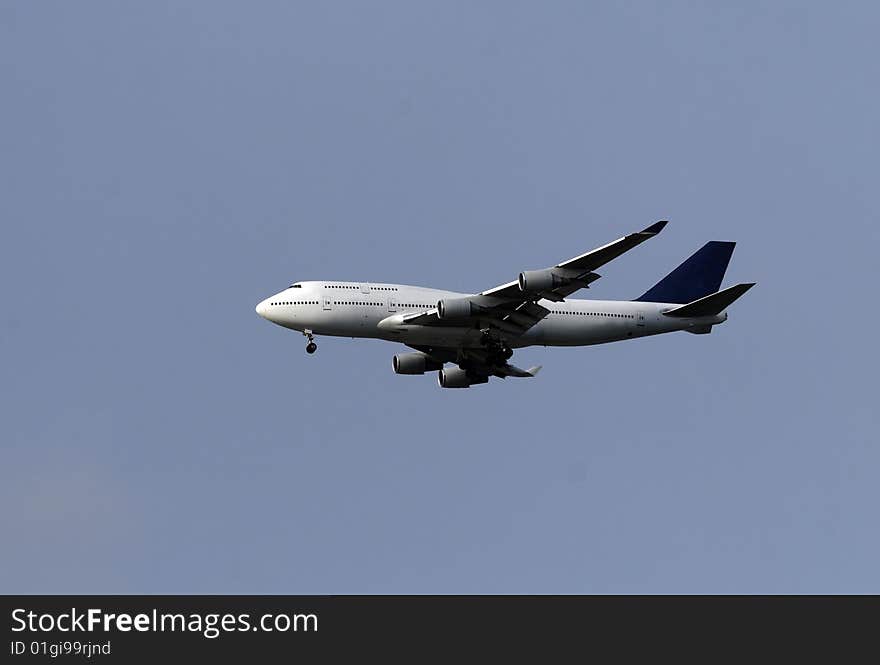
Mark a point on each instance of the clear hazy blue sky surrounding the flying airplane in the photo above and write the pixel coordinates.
(164, 166)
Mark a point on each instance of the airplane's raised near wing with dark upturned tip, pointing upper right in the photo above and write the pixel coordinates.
(512, 308)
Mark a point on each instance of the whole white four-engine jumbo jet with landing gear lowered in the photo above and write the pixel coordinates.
(477, 333)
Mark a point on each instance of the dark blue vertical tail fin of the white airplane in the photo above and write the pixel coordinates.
(699, 276)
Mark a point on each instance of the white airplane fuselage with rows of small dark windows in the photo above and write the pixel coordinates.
(359, 309)
